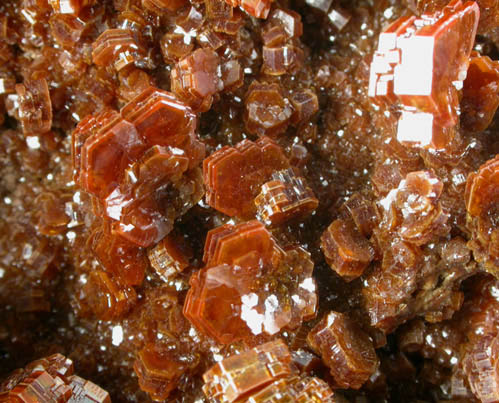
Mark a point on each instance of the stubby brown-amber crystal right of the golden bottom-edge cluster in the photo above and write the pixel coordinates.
(345, 348)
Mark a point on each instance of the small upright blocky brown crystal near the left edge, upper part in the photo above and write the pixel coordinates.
(35, 106)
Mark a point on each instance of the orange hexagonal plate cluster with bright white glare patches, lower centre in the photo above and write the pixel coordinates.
(250, 286)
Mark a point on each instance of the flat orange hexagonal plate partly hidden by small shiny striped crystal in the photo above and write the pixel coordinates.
(233, 175)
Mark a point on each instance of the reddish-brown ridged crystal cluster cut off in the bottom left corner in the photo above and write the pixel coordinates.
(50, 379)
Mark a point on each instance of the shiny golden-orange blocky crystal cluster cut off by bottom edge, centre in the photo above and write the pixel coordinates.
(263, 374)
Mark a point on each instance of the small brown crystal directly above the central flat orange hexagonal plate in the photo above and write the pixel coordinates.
(267, 111)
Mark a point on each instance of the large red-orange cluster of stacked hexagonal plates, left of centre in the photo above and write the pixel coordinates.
(134, 163)
